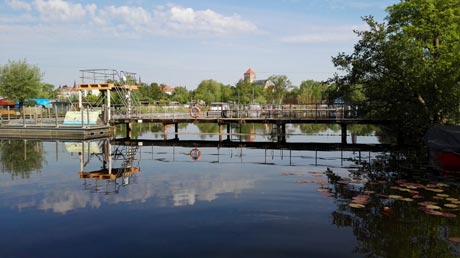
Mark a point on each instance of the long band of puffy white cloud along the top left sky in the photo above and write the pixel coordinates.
(114, 20)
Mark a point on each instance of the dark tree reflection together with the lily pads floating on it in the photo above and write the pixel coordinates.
(391, 216)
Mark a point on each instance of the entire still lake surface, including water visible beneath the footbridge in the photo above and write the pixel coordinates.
(219, 202)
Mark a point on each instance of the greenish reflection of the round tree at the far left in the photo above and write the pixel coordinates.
(21, 158)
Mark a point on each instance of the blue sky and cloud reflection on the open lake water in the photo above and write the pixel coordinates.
(231, 202)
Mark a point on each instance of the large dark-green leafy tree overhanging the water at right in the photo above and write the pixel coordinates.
(408, 67)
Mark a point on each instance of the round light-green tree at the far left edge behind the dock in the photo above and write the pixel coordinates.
(20, 81)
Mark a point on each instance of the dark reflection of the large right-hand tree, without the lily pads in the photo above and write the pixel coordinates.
(389, 227)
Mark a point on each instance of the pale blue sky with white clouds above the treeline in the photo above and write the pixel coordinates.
(180, 42)
